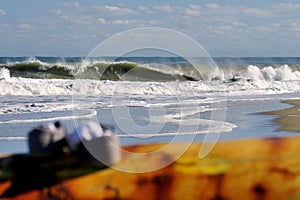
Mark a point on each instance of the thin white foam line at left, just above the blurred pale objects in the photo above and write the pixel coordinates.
(92, 114)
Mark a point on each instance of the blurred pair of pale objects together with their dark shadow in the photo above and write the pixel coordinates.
(55, 156)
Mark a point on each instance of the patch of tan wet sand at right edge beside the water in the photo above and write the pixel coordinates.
(289, 119)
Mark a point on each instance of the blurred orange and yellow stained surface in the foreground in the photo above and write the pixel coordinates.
(247, 169)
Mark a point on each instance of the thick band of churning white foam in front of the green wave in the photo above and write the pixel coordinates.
(282, 79)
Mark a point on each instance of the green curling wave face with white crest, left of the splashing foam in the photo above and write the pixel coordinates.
(116, 71)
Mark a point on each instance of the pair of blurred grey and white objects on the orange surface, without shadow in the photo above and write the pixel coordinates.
(88, 140)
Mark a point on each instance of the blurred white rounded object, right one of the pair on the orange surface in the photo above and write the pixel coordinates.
(102, 145)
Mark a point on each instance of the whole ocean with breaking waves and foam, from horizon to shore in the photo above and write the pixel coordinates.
(147, 99)
